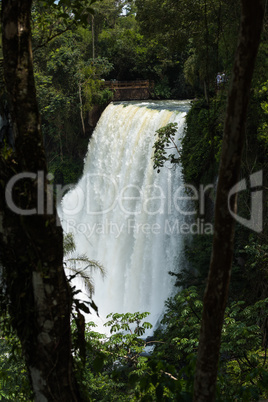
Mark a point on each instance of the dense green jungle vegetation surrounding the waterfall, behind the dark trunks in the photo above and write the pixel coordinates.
(181, 46)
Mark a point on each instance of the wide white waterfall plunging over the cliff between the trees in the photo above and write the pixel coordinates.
(122, 212)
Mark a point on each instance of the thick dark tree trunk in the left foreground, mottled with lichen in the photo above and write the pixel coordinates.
(31, 252)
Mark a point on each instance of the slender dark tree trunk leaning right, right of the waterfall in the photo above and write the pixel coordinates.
(220, 267)
